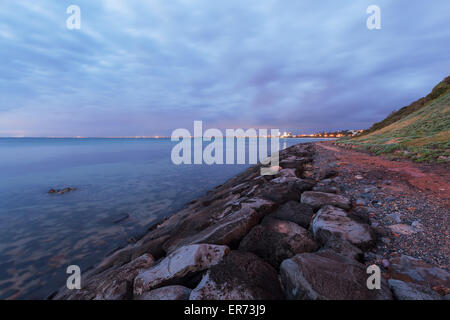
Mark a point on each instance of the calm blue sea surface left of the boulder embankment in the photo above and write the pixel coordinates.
(123, 186)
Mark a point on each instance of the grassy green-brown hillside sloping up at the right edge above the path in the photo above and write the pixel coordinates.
(420, 131)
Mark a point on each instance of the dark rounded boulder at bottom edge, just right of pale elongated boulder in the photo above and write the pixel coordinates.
(239, 276)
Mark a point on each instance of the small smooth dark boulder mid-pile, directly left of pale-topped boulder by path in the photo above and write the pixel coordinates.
(296, 212)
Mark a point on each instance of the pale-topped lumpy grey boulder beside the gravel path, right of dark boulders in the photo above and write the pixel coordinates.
(331, 222)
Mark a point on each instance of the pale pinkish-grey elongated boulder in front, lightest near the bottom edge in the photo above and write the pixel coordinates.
(181, 263)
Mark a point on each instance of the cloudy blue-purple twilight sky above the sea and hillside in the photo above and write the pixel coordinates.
(143, 68)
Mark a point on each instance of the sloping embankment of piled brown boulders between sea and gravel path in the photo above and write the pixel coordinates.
(295, 235)
